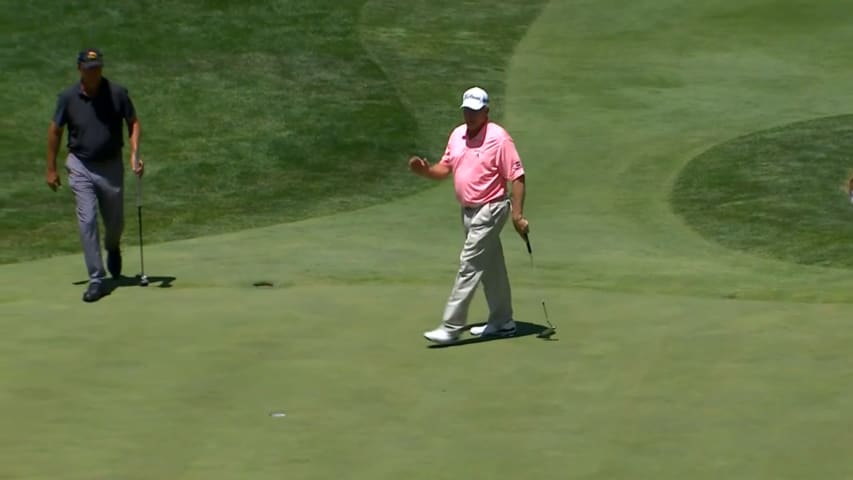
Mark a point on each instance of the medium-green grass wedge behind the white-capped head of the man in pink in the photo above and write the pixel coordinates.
(430, 56)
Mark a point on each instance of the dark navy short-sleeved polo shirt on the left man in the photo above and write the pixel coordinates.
(95, 123)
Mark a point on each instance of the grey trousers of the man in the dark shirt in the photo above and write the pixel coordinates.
(97, 186)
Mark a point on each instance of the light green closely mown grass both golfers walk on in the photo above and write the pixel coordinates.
(677, 356)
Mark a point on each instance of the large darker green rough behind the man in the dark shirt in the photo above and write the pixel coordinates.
(251, 115)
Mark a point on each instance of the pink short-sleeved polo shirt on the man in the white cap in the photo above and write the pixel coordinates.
(482, 165)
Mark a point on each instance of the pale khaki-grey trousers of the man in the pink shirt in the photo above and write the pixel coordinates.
(481, 259)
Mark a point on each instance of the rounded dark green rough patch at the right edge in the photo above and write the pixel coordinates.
(779, 193)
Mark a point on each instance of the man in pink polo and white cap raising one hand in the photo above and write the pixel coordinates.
(482, 158)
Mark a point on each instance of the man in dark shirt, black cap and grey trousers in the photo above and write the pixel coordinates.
(95, 110)
